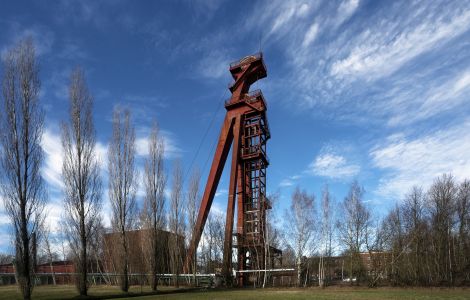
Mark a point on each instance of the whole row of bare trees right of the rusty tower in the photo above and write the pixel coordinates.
(423, 241)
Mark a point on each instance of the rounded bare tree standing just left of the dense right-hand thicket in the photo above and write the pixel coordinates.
(353, 226)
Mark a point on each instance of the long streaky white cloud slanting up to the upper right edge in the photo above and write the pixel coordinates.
(381, 51)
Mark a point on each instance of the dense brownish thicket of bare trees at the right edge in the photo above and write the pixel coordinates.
(428, 235)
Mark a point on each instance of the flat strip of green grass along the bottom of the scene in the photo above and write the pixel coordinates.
(106, 292)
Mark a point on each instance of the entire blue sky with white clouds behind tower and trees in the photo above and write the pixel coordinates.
(376, 91)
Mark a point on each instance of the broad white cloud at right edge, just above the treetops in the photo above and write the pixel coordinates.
(420, 160)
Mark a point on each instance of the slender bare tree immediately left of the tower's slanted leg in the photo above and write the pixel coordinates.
(193, 203)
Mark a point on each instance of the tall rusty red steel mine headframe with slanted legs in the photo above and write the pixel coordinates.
(245, 126)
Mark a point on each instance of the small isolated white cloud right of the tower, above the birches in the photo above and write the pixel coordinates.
(332, 165)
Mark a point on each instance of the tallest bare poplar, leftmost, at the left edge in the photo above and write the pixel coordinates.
(21, 127)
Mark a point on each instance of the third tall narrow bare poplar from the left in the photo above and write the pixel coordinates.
(122, 186)
